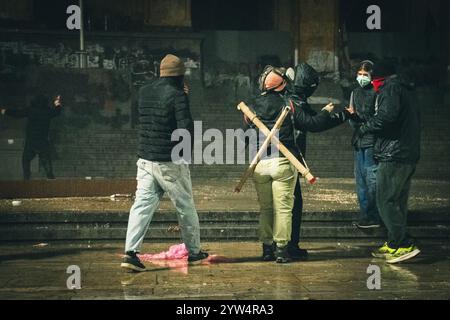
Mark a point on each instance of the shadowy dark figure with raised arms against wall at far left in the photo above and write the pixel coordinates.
(39, 116)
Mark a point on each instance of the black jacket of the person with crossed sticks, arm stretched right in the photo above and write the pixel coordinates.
(268, 108)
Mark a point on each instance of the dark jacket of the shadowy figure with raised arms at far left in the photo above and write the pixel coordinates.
(39, 116)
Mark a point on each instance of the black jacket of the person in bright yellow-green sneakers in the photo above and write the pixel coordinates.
(396, 124)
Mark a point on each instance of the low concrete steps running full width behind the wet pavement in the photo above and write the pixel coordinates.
(243, 225)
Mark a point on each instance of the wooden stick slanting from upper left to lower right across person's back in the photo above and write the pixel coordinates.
(301, 169)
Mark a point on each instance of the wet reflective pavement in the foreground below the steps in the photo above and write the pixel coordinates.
(334, 270)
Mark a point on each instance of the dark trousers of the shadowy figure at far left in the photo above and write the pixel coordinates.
(42, 149)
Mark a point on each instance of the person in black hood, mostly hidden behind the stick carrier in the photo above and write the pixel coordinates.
(304, 82)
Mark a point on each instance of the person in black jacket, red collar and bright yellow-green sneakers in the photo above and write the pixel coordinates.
(397, 126)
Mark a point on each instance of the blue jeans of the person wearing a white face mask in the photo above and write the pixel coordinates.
(366, 184)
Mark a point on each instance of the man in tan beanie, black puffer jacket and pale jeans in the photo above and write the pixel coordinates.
(163, 108)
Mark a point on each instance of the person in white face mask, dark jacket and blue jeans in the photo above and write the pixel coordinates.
(362, 100)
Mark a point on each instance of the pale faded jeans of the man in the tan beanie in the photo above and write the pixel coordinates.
(153, 180)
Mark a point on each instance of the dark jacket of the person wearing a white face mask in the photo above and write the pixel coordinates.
(363, 100)
